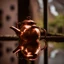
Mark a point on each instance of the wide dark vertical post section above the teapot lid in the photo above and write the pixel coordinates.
(23, 9)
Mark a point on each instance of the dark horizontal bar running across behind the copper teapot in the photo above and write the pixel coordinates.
(48, 38)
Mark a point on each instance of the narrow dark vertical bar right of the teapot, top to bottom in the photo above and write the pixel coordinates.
(45, 27)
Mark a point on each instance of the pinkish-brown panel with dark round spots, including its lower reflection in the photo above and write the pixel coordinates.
(8, 17)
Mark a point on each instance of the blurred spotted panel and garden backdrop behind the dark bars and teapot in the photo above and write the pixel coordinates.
(9, 17)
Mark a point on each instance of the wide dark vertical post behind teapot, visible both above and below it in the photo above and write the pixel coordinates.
(23, 12)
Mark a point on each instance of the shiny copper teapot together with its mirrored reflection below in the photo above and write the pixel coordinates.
(29, 35)
